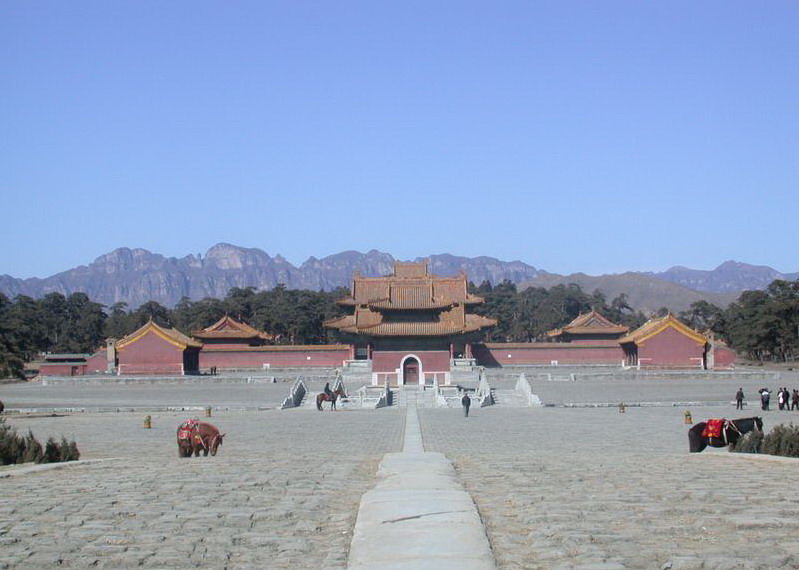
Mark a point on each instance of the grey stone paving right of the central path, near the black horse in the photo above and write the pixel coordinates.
(591, 488)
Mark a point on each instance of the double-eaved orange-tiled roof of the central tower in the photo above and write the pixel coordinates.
(439, 302)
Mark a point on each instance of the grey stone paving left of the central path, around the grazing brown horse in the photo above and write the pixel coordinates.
(283, 492)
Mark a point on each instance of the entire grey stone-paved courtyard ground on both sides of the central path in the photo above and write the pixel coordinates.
(557, 487)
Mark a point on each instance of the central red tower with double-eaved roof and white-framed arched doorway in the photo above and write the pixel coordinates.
(410, 324)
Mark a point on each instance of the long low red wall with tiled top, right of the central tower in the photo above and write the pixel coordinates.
(496, 354)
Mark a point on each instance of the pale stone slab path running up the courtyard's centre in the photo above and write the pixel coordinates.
(418, 516)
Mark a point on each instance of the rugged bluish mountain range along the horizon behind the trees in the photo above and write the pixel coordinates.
(135, 276)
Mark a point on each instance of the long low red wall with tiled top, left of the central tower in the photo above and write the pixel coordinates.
(291, 356)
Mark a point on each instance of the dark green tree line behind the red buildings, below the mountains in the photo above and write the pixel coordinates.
(761, 325)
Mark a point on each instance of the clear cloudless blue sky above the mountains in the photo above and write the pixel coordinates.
(575, 136)
